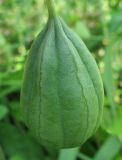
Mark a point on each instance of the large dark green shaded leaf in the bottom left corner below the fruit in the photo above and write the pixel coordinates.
(15, 142)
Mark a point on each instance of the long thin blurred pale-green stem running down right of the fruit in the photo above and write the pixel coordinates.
(108, 62)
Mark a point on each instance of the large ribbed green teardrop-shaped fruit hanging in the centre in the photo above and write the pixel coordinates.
(62, 92)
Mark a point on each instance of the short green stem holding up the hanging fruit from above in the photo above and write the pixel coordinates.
(51, 8)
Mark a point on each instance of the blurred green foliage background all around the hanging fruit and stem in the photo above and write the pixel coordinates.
(99, 24)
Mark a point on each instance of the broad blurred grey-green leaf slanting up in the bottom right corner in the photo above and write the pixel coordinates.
(109, 149)
